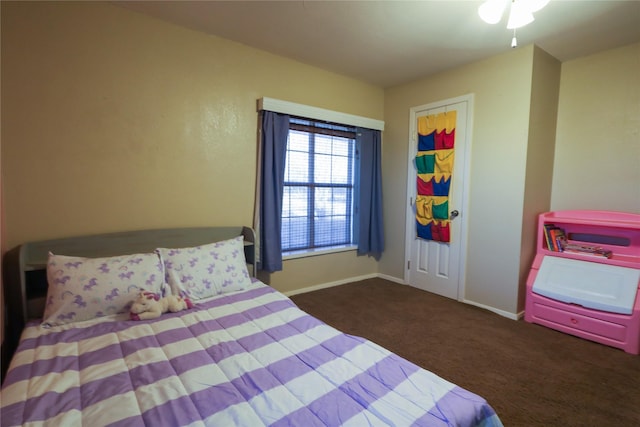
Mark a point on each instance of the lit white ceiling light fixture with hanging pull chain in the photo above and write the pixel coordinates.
(520, 13)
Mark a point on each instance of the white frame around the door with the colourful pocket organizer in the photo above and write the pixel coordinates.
(411, 190)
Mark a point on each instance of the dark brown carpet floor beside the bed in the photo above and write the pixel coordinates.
(531, 375)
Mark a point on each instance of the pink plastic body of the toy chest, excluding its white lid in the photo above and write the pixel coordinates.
(617, 232)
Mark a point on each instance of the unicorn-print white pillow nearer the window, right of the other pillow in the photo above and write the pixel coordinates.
(207, 270)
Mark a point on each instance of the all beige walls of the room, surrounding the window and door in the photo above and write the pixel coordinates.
(115, 121)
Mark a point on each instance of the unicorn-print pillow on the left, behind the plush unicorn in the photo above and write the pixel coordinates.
(86, 288)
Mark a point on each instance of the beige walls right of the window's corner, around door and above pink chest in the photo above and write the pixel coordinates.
(546, 136)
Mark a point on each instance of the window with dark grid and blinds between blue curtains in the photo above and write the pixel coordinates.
(317, 206)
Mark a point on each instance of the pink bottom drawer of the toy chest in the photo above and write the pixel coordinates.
(579, 322)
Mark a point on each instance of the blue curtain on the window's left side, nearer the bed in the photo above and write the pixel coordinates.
(275, 131)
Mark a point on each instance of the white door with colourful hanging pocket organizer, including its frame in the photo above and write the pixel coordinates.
(435, 265)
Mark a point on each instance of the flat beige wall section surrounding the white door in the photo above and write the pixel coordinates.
(502, 92)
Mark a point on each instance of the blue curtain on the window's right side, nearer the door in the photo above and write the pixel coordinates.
(368, 225)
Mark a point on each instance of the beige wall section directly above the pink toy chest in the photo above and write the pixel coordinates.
(597, 159)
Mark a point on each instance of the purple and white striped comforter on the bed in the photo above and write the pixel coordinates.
(250, 358)
